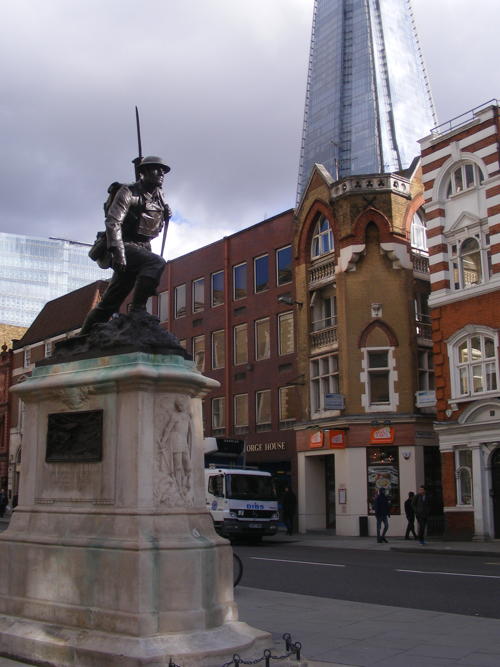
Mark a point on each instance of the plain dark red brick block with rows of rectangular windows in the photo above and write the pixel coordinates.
(231, 304)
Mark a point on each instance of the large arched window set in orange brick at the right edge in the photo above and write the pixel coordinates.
(475, 365)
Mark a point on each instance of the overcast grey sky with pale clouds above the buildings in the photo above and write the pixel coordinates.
(220, 87)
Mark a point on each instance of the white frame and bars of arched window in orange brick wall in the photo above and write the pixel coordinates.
(453, 344)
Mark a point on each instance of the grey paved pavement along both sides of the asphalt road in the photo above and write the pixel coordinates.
(342, 633)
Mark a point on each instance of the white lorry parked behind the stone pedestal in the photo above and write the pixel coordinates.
(242, 502)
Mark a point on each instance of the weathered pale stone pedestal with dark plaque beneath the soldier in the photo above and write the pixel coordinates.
(111, 558)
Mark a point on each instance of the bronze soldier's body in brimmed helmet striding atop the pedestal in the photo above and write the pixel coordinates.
(135, 216)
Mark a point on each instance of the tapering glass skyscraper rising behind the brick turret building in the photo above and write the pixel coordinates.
(368, 98)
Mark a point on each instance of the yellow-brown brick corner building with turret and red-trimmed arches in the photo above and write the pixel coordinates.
(364, 342)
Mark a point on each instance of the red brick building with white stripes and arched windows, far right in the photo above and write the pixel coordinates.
(461, 173)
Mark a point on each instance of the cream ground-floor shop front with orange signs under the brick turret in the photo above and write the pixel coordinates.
(340, 471)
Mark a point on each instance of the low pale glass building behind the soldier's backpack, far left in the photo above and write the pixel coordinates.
(36, 270)
